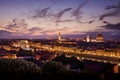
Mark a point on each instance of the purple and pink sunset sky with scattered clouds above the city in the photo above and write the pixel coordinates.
(45, 18)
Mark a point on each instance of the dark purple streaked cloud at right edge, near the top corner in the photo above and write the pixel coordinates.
(115, 11)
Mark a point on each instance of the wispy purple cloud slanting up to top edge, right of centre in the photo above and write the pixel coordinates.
(77, 12)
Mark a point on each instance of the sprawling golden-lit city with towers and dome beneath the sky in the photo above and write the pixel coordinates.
(90, 46)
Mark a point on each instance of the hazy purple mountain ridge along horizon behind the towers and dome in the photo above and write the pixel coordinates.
(4, 34)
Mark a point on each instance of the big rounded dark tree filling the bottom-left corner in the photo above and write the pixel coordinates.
(18, 69)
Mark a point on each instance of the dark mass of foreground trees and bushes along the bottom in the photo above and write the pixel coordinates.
(16, 69)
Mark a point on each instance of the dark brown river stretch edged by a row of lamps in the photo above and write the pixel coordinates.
(105, 59)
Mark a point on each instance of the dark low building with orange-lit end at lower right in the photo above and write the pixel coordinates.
(100, 67)
